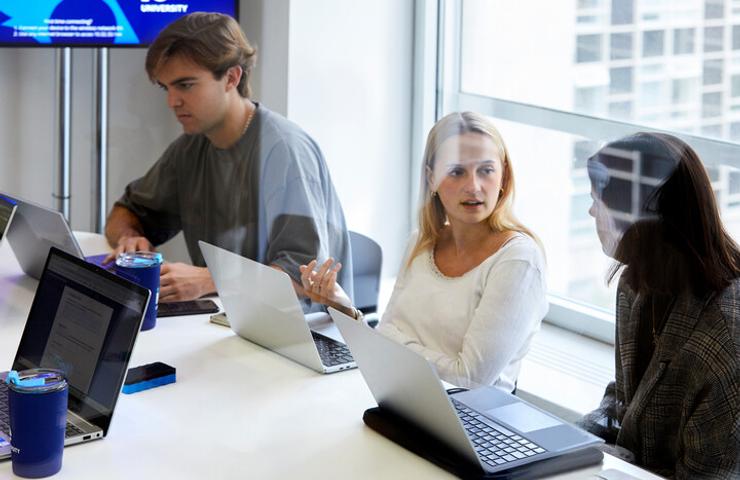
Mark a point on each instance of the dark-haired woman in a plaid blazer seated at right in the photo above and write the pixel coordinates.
(674, 406)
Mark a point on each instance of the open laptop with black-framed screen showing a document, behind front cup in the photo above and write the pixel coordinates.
(84, 321)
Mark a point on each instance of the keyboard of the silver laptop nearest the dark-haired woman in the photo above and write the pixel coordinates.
(495, 446)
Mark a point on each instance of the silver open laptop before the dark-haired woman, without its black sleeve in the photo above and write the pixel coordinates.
(487, 426)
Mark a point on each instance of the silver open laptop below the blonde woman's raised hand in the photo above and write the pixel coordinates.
(263, 308)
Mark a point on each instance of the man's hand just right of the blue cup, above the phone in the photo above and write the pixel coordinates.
(179, 281)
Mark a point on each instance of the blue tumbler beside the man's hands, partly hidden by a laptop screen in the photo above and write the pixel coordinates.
(142, 268)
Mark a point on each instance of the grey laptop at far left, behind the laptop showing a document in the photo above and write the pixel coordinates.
(34, 229)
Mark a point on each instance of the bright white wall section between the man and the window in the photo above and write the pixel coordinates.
(350, 77)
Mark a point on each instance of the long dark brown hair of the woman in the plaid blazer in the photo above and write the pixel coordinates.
(678, 241)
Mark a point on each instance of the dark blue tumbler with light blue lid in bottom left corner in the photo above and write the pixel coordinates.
(37, 402)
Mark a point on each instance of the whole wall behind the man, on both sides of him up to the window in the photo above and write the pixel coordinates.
(340, 69)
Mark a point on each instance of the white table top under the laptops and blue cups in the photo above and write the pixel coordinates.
(236, 411)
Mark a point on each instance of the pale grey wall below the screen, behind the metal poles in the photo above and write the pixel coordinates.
(140, 126)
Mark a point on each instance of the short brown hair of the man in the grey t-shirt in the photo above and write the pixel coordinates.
(211, 40)
